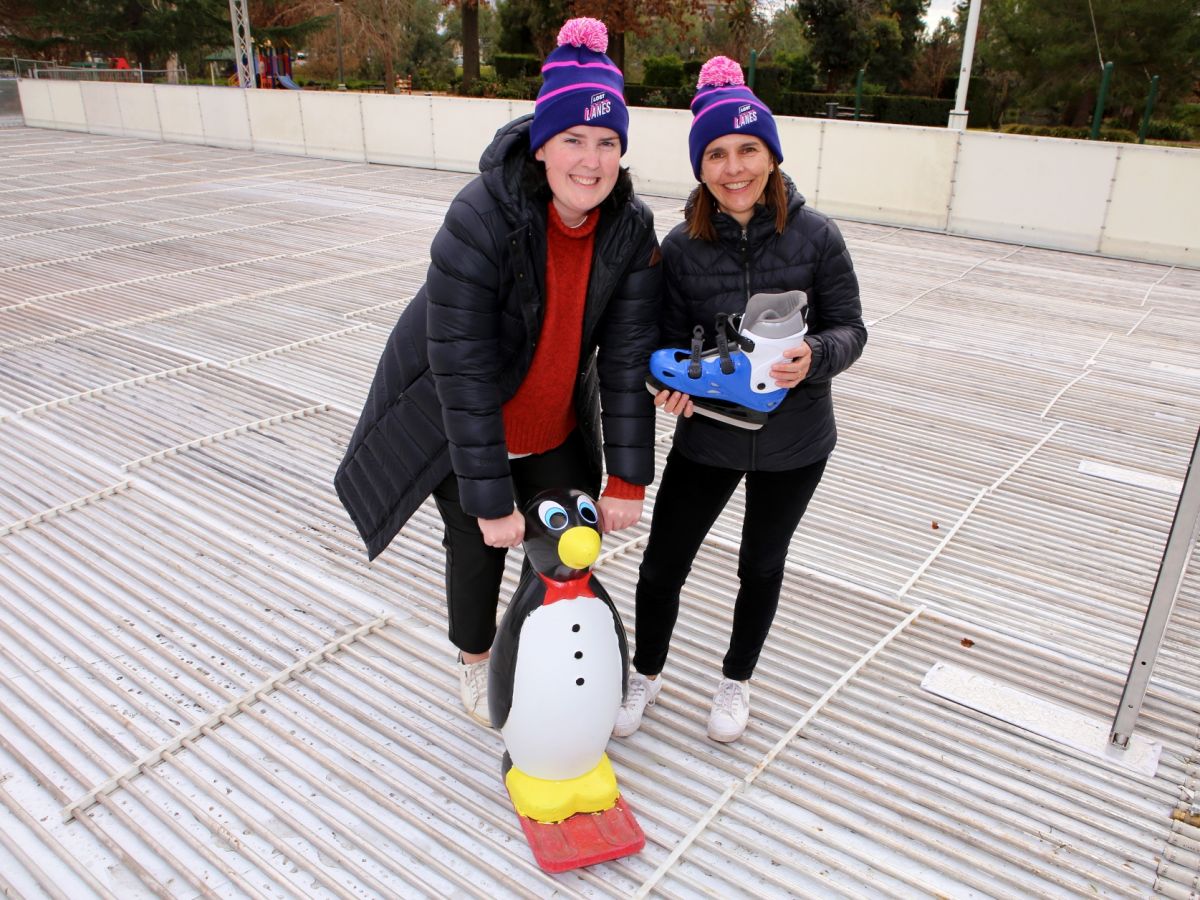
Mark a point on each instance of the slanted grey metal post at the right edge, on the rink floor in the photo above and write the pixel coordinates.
(1180, 542)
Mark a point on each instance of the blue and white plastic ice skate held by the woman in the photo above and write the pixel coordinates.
(733, 381)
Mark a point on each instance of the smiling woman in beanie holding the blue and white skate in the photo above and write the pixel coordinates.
(747, 232)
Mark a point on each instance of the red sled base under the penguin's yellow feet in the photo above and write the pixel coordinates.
(585, 839)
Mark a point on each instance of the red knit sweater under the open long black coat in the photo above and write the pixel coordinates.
(542, 415)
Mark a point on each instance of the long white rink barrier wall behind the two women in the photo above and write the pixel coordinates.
(1115, 200)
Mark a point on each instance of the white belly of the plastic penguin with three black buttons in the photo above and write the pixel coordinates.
(566, 689)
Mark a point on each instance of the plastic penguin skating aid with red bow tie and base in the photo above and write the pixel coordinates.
(556, 680)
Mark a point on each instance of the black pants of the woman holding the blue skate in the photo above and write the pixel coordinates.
(691, 499)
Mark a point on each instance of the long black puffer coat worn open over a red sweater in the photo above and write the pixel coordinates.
(466, 341)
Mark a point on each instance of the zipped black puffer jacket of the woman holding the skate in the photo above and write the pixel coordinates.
(704, 279)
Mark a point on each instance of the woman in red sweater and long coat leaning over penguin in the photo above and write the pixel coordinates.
(533, 328)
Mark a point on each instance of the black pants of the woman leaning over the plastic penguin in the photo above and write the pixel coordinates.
(473, 569)
